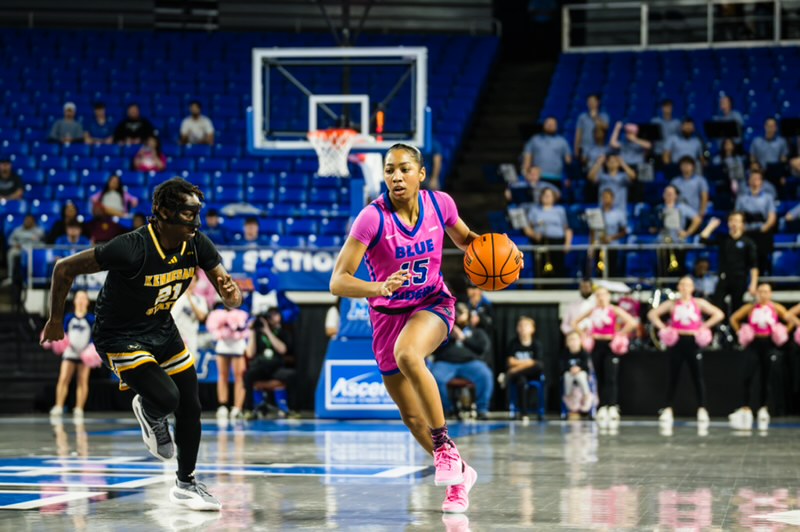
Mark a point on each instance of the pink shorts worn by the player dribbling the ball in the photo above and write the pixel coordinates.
(386, 328)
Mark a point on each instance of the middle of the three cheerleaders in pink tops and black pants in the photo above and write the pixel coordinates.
(686, 318)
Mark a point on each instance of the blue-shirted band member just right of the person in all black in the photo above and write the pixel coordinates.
(760, 220)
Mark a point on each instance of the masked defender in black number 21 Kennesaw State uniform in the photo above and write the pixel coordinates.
(148, 270)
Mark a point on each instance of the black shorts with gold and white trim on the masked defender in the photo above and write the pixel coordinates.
(122, 354)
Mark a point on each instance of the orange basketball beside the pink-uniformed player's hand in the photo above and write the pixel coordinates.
(492, 261)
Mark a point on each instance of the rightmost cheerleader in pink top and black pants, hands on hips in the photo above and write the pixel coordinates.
(763, 316)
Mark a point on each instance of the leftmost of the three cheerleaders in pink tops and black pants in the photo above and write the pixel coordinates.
(606, 344)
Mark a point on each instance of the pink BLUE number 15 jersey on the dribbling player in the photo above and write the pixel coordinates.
(392, 246)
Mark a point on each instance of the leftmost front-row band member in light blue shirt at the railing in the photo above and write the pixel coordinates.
(548, 226)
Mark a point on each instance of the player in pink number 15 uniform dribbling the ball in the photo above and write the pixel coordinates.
(400, 236)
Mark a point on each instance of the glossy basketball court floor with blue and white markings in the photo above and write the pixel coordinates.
(313, 475)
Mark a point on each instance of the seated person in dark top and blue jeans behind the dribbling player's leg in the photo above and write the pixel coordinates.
(465, 356)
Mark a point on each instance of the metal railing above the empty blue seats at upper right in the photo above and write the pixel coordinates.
(681, 24)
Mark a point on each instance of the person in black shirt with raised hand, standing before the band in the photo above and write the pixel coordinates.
(737, 259)
